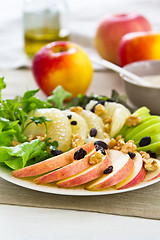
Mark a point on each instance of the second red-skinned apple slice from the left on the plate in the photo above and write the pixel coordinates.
(66, 171)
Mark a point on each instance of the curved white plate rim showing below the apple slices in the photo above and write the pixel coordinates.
(76, 191)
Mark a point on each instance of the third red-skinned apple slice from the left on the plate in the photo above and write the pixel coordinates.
(87, 175)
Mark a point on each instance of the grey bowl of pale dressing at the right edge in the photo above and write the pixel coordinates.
(143, 95)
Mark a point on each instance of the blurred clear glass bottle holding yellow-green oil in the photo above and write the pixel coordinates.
(45, 21)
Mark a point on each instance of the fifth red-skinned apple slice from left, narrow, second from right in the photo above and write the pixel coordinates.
(136, 176)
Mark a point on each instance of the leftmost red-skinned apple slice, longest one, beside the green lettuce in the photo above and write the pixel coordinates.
(51, 163)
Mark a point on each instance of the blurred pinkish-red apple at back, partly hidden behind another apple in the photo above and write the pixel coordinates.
(111, 29)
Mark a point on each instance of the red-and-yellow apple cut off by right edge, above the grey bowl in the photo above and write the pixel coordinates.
(139, 46)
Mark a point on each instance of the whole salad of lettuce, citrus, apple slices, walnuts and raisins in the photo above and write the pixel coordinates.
(94, 142)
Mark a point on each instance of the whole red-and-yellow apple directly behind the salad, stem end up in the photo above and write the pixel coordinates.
(62, 63)
